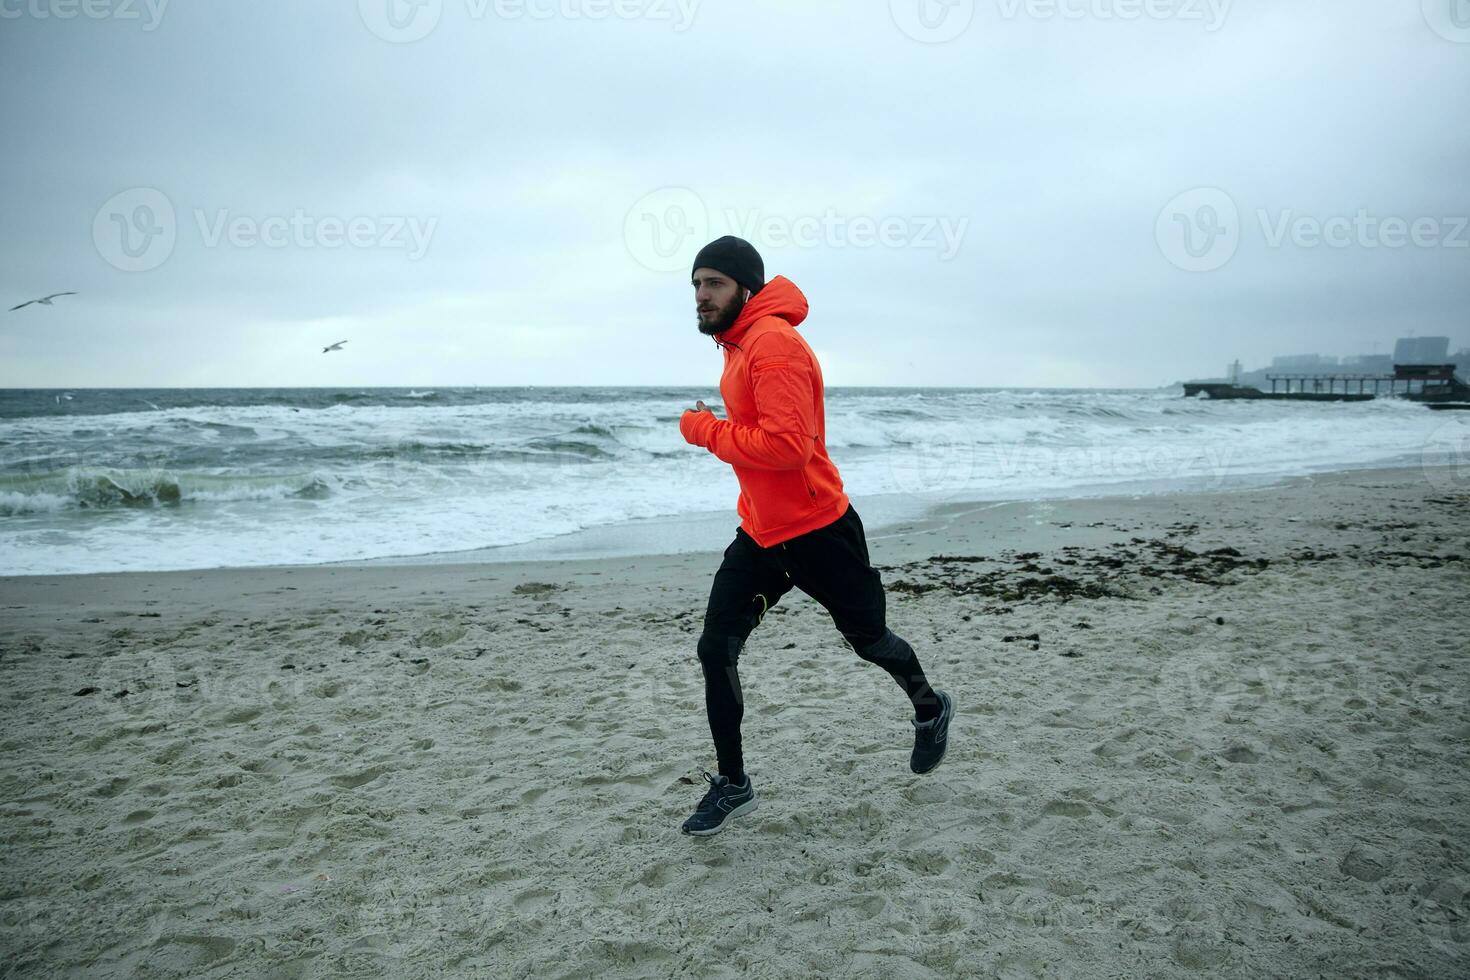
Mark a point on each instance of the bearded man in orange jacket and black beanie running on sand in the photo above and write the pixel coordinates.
(797, 527)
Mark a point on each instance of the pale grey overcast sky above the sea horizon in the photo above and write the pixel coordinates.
(1083, 193)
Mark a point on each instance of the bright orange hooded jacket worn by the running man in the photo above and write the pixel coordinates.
(775, 436)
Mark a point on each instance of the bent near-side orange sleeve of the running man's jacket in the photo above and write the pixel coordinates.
(784, 436)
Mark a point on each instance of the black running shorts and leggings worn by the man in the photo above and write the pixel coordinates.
(831, 566)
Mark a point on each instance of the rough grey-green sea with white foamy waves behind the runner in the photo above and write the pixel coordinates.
(152, 480)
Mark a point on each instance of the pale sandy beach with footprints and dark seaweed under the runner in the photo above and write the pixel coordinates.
(1199, 735)
